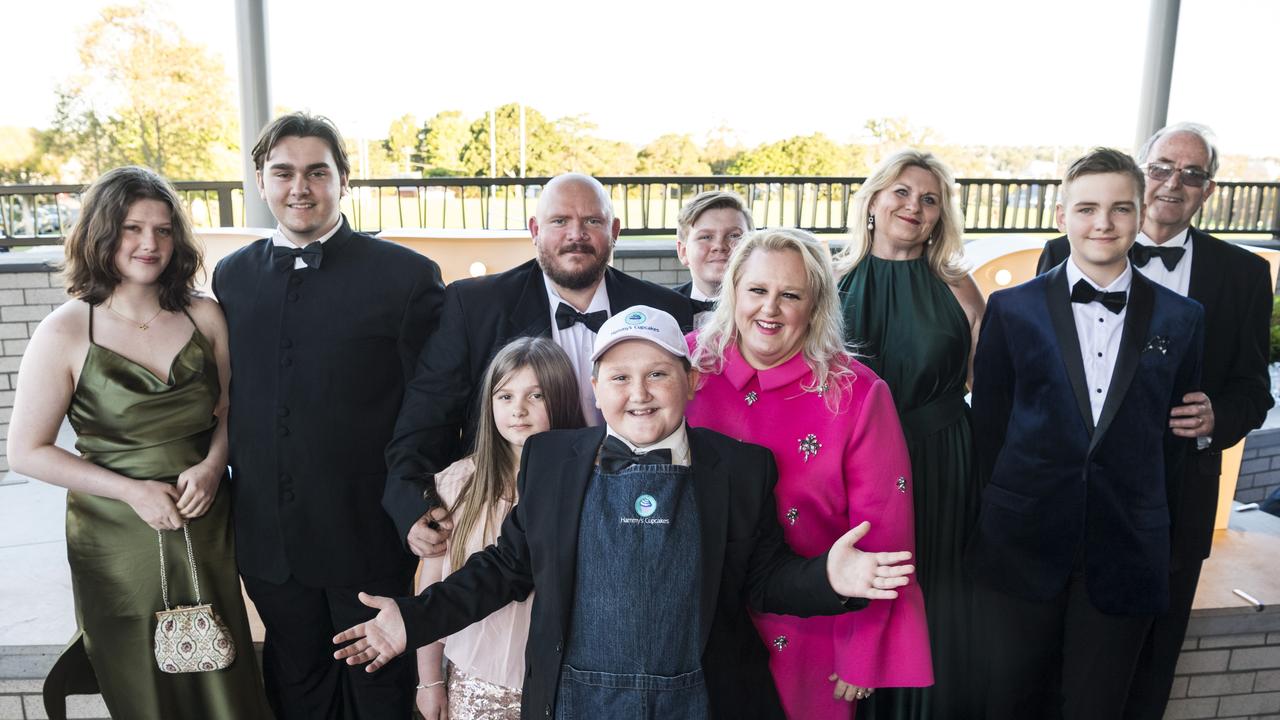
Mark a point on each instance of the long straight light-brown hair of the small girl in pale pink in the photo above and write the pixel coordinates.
(495, 477)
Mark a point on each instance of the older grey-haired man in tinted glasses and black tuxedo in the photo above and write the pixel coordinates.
(1235, 286)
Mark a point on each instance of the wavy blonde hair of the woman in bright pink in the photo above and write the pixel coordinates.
(824, 345)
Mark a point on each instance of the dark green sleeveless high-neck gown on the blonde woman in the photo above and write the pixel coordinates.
(909, 329)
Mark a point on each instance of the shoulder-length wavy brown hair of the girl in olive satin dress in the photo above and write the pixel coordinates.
(90, 270)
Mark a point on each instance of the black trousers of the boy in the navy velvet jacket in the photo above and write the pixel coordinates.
(1059, 659)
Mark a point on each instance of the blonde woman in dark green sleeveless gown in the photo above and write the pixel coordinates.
(912, 315)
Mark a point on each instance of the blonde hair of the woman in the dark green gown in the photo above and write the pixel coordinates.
(945, 249)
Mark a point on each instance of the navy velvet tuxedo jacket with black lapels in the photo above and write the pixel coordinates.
(1060, 494)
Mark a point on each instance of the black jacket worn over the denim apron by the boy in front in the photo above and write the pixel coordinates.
(746, 563)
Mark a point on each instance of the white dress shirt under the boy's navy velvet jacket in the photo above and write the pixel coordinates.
(1099, 331)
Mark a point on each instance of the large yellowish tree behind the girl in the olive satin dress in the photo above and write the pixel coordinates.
(145, 95)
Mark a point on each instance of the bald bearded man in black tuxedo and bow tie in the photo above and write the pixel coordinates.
(565, 294)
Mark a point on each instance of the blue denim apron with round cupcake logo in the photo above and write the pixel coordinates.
(634, 644)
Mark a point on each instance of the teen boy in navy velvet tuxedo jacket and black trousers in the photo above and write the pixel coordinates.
(1075, 377)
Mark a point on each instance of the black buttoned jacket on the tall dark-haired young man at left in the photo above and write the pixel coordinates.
(319, 363)
